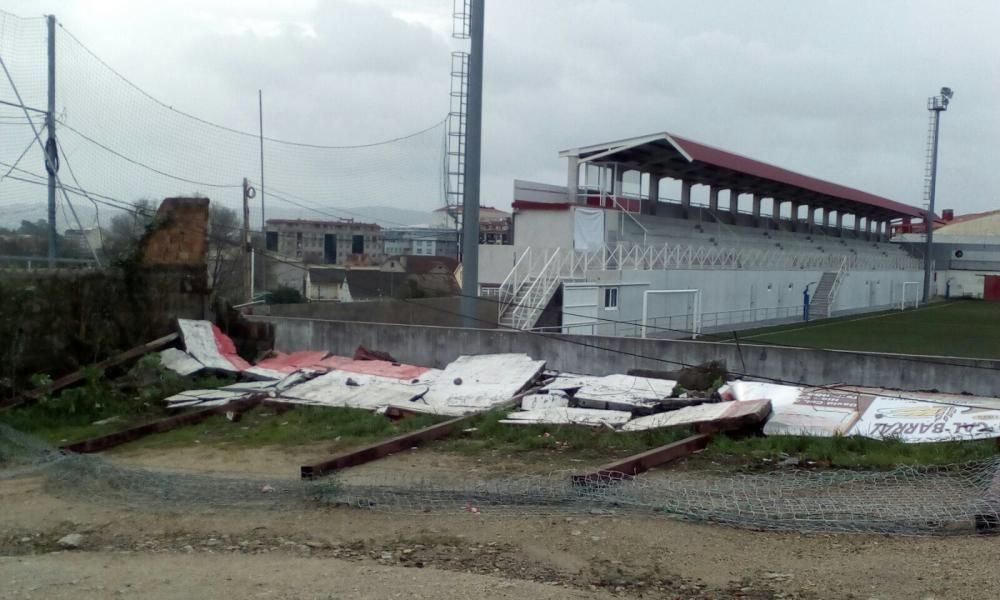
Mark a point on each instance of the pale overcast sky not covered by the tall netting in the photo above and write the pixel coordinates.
(837, 90)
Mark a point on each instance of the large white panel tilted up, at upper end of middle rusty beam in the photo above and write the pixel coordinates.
(477, 383)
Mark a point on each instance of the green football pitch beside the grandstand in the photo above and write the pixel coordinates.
(968, 328)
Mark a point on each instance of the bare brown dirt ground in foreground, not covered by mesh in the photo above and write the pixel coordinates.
(192, 552)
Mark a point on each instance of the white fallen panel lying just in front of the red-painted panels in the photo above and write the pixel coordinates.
(354, 390)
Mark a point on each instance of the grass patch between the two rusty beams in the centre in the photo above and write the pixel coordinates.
(584, 442)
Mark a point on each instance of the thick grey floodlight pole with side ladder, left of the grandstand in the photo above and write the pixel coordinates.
(470, 199)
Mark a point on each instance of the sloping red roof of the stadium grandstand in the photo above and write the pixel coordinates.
(673, 156)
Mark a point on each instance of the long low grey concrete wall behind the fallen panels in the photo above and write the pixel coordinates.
(437, 346)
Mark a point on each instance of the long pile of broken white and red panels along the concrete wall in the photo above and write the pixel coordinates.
(698, 398)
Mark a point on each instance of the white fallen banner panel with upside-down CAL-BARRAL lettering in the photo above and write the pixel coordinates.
(922, 421)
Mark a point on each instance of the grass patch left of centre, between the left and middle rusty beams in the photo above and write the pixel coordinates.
(303, 425)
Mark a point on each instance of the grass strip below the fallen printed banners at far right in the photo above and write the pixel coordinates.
(843, 452)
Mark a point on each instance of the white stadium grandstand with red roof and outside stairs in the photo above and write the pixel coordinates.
(740, 244)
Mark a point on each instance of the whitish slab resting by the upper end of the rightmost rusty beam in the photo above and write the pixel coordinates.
(707, 418)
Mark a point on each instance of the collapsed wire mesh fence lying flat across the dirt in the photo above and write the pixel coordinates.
(945, 500)
